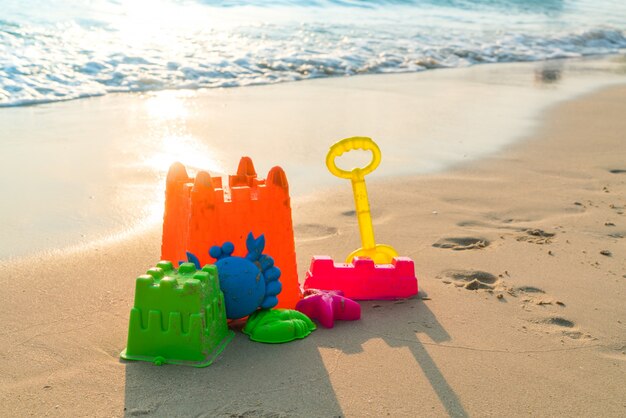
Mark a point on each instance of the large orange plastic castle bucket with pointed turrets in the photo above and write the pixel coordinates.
(200, 213)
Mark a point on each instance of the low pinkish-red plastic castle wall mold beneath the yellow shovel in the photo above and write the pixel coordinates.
(362, 279)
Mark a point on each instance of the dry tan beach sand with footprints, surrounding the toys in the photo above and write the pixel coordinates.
(537, 225)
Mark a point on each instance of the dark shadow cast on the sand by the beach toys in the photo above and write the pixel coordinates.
(251, 379)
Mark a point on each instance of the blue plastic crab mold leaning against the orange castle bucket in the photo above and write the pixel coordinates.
(247, 283)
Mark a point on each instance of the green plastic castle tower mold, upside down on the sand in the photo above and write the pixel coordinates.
(179, 316)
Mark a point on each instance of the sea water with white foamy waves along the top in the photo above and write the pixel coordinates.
(52, 50)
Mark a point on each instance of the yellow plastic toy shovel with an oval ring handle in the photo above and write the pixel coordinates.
(380, 253)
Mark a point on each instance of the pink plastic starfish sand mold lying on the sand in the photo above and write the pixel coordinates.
(326, 306)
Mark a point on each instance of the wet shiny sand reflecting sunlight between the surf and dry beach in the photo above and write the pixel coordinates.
(79, 172)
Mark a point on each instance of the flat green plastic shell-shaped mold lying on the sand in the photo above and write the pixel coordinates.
(278, 326)
